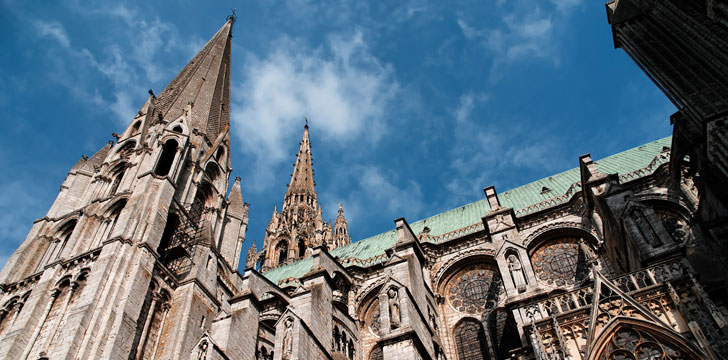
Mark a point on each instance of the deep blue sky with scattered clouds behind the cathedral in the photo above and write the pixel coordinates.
(414, 105)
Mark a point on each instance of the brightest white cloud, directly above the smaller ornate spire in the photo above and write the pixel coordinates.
(341, 88)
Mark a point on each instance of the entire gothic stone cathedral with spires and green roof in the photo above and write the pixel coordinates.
(618, 258)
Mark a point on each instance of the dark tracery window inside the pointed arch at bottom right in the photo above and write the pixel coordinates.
(632, 344)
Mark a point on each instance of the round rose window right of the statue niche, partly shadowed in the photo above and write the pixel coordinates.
(559, 262)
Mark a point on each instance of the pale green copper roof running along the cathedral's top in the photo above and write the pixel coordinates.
(538, 195)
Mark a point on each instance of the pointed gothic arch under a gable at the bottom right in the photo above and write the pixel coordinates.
(634, 338)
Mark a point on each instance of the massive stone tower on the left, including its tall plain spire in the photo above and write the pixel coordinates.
(134, 258)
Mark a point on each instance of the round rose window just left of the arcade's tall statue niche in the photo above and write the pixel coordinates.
(475, 288)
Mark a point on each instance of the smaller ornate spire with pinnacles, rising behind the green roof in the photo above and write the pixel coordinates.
(298, 228)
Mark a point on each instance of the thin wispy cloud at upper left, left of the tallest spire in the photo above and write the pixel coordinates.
(132, 64)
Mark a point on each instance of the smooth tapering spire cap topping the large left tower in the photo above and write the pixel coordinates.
(205, 83)
